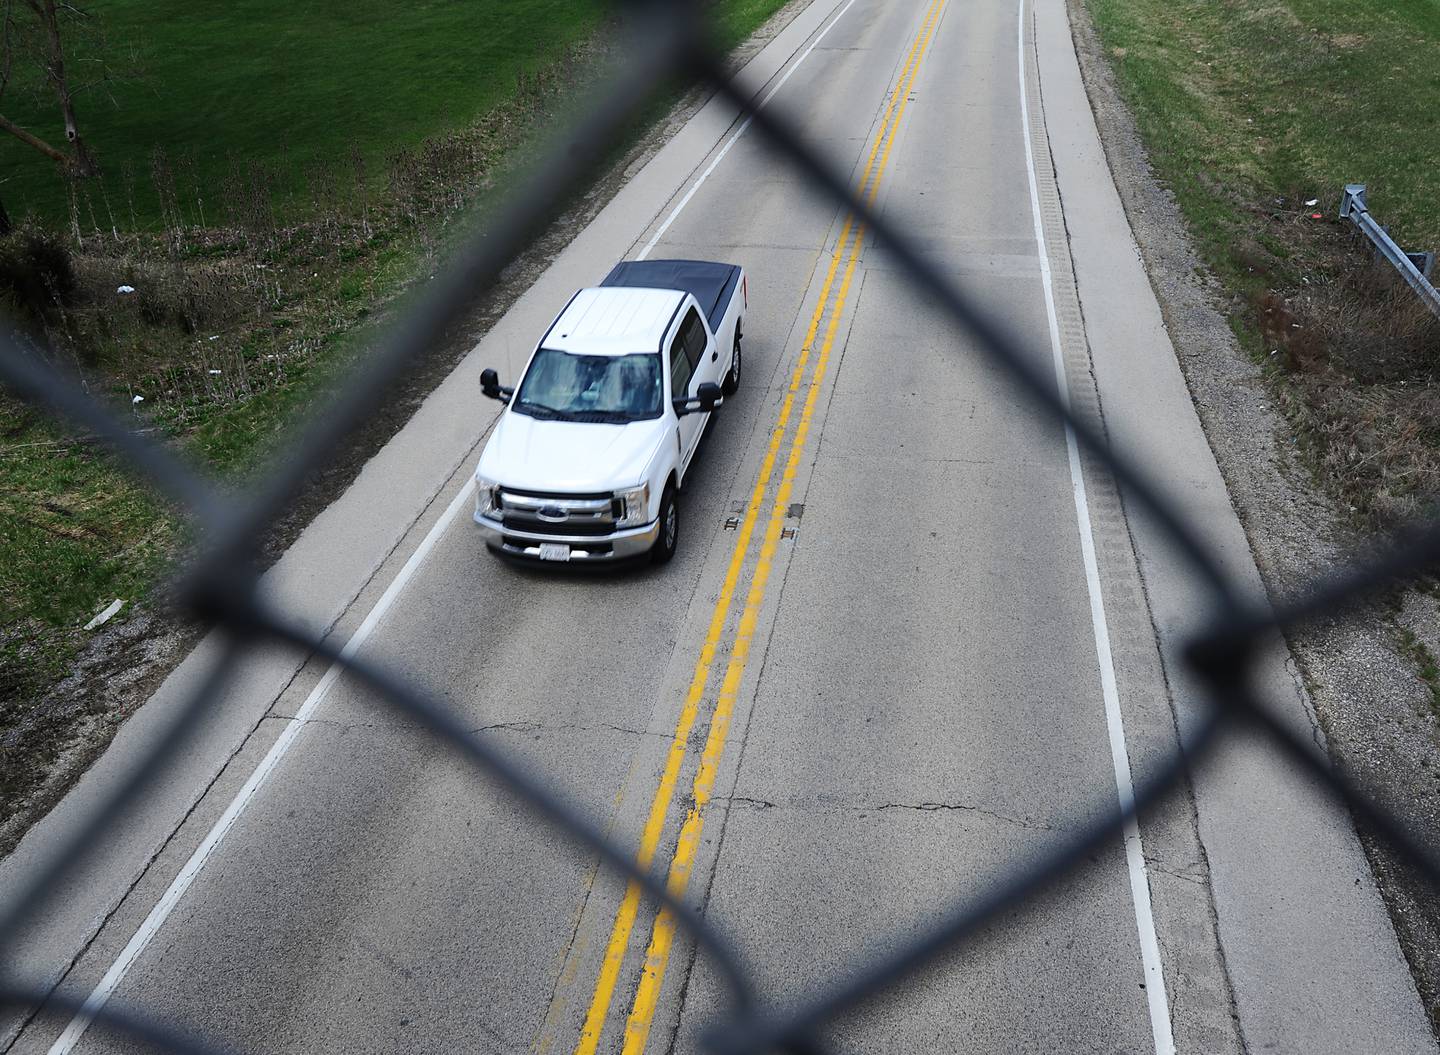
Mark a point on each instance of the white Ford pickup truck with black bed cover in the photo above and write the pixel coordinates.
(595, 441)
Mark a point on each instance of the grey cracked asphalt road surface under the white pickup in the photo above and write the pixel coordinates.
(873, 680)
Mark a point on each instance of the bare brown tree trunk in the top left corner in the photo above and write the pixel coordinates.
(31, 31)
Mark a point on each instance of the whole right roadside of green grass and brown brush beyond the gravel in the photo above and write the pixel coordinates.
(1252, 112)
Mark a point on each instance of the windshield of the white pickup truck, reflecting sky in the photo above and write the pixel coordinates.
(610, 389)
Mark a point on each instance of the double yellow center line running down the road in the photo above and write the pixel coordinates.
(662, 938)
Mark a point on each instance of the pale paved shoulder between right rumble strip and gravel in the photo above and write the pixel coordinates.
(1308, 946)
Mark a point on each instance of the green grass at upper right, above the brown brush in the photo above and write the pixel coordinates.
(1245, 101)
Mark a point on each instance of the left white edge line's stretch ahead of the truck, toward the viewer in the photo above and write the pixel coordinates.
(192, 869)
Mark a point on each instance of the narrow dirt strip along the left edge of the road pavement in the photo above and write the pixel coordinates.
(120, 669)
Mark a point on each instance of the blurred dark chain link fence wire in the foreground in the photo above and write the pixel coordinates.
(666, 42)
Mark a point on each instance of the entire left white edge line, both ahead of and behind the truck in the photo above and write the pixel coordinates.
(100, 997)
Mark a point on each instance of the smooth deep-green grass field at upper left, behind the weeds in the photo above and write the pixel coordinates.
(289, 86)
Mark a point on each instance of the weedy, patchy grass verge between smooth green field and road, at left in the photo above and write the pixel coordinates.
(238, 327)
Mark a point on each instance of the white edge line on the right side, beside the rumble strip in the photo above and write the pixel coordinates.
(1120, 755)
